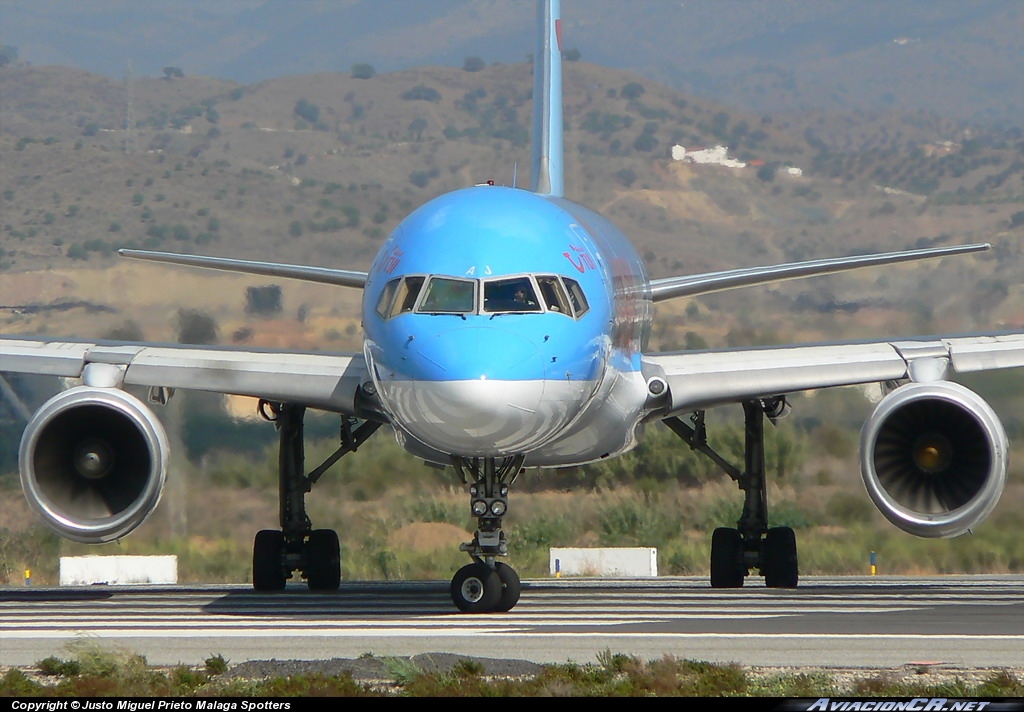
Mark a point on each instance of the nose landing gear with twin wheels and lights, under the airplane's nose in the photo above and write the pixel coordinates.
(487, 585)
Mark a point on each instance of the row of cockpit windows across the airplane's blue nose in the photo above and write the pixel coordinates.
(520, 295)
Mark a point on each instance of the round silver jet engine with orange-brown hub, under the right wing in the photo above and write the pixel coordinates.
(934, 458)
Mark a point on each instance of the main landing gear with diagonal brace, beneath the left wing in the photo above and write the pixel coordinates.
(297, 547)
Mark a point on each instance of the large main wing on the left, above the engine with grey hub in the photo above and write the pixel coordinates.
(323, 381)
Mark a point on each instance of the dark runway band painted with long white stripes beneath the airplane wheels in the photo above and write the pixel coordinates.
(547, 609)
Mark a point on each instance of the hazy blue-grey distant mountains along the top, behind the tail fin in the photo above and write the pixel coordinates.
(959, 60)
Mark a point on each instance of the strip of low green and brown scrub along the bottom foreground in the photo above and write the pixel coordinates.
(95, 671)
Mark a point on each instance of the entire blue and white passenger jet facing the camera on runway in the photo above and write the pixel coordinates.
(507, 328)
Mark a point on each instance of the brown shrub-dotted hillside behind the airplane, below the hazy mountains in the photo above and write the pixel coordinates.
(320, 169)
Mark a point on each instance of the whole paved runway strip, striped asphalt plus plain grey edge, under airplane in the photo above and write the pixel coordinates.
(957, 621)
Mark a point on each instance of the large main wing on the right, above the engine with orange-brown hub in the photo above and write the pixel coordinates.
(702, 380)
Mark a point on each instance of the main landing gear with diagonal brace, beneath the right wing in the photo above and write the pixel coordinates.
(752, 545)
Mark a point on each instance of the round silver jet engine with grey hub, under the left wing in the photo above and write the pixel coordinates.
(94, 464)
